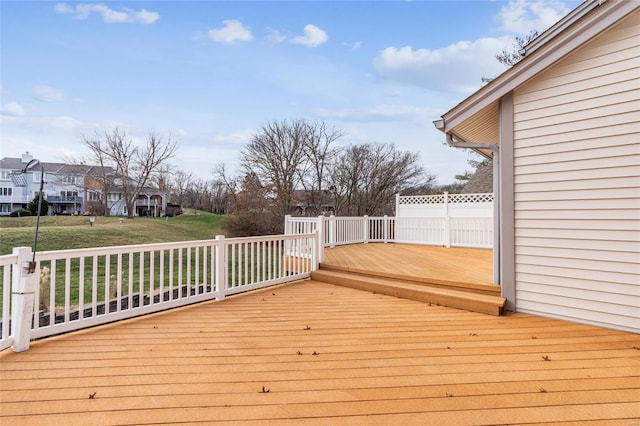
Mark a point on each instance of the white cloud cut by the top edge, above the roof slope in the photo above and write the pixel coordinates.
(523, 16)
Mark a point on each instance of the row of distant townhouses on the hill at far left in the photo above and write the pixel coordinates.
(70, 189)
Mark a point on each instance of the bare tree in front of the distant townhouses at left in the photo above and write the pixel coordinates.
(133, 164)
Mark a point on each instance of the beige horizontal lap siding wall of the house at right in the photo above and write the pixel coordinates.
(577, 184)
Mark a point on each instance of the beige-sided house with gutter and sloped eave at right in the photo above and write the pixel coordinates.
(563, 128)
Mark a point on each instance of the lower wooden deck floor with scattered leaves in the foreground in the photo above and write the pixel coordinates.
(314, 353)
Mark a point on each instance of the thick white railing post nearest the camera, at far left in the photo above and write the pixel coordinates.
(24, 283)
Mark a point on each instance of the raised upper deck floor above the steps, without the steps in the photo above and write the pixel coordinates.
(436, 263)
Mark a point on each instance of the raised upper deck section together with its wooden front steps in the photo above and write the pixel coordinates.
(455, 277)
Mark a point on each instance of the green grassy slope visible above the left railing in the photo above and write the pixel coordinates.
(69, 232)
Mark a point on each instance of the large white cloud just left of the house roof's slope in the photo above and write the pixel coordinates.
(458, 67)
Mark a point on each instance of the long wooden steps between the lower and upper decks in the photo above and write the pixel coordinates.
(408, 289)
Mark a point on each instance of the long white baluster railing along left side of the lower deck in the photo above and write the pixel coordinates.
(74, 289)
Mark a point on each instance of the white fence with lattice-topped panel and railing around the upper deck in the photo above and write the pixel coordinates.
(450, 220)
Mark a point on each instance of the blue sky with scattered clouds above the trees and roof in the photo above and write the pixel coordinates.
(211, 73)
